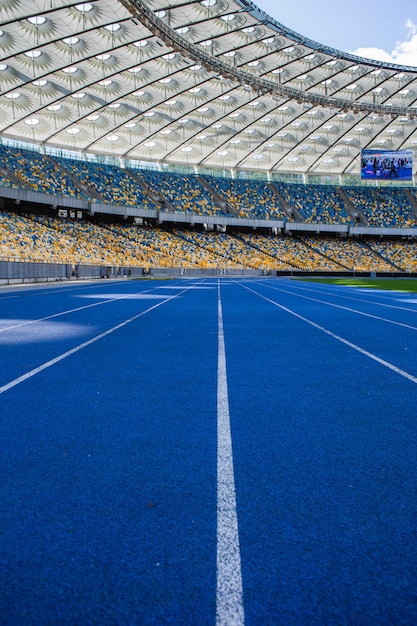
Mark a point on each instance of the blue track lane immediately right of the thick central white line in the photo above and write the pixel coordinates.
(325, 449)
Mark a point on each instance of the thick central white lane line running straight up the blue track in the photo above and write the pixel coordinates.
(229, 597)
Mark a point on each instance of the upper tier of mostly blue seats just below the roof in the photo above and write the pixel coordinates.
(206, 195)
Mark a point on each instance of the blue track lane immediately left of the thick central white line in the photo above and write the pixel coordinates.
(109, 481)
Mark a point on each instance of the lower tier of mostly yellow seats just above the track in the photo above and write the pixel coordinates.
(44, 238)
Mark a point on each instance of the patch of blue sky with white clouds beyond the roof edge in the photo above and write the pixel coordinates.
(385, 30)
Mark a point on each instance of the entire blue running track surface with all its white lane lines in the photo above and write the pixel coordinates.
(207, 452)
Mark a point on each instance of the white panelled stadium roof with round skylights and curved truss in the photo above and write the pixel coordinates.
(211, 83)
